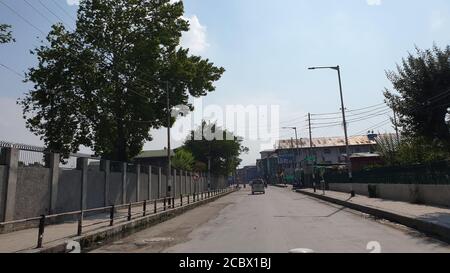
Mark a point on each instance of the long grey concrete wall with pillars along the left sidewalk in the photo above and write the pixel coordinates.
(32, 196)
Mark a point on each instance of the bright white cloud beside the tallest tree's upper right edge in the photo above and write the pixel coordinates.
(195, 38)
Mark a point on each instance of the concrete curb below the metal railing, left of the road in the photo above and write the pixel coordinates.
(94, 239)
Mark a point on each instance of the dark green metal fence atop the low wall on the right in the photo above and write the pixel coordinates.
(433, 174)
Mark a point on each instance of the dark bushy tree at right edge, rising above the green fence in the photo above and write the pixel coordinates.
(422, 85)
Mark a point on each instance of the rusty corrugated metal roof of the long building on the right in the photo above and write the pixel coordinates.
(326, 142)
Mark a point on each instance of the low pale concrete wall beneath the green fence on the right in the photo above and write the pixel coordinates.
(437, 195)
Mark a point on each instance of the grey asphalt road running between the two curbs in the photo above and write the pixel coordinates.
(279, 221)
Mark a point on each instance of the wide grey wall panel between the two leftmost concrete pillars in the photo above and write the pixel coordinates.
(32, 192)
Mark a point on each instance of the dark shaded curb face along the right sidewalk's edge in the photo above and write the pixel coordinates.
(434, 230)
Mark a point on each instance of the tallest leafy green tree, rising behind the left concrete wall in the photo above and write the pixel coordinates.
(104, 84)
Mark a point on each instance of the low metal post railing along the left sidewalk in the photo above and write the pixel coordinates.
(148, 208)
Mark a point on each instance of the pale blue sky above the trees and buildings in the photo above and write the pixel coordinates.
(266, 47)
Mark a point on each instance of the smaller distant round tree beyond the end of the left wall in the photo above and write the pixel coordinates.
(221, 146)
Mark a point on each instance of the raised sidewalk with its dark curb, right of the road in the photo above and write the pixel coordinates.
(431, 220)
